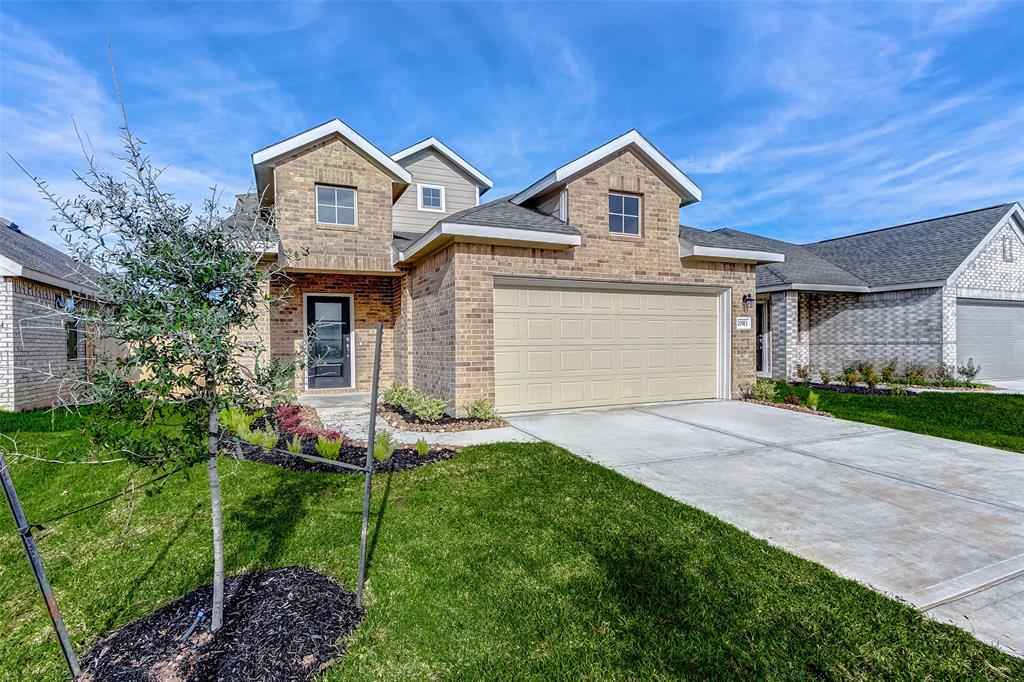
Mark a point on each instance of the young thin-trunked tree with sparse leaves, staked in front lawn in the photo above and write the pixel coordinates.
(181, 294)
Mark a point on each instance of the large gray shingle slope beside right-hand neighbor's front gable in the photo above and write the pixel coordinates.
(925, 251)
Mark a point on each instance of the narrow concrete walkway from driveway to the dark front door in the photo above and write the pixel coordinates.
(351, 415)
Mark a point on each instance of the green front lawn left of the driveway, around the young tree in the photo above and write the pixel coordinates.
(511, 562)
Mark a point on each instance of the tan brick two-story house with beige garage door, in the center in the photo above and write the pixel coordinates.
(574, 292)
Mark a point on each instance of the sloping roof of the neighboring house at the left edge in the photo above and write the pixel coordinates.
(27, 258)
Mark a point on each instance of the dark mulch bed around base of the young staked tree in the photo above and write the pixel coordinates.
(280, 625)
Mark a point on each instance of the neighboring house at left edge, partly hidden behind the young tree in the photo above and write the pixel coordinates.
(41, 349)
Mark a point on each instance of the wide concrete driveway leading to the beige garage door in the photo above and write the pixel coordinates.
(937, 523)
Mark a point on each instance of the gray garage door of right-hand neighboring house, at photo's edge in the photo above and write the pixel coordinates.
(992, 333)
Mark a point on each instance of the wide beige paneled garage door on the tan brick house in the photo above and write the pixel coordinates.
(573, 349)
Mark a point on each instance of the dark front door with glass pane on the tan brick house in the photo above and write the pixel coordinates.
(329, 325)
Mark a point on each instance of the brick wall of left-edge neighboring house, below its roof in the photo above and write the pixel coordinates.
(34, 366)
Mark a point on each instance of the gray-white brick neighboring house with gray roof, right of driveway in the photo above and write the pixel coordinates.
(944, 290)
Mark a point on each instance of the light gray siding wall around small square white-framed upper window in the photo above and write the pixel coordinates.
(429, 167)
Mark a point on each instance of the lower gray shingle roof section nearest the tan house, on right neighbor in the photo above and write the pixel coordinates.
(801, 265)
